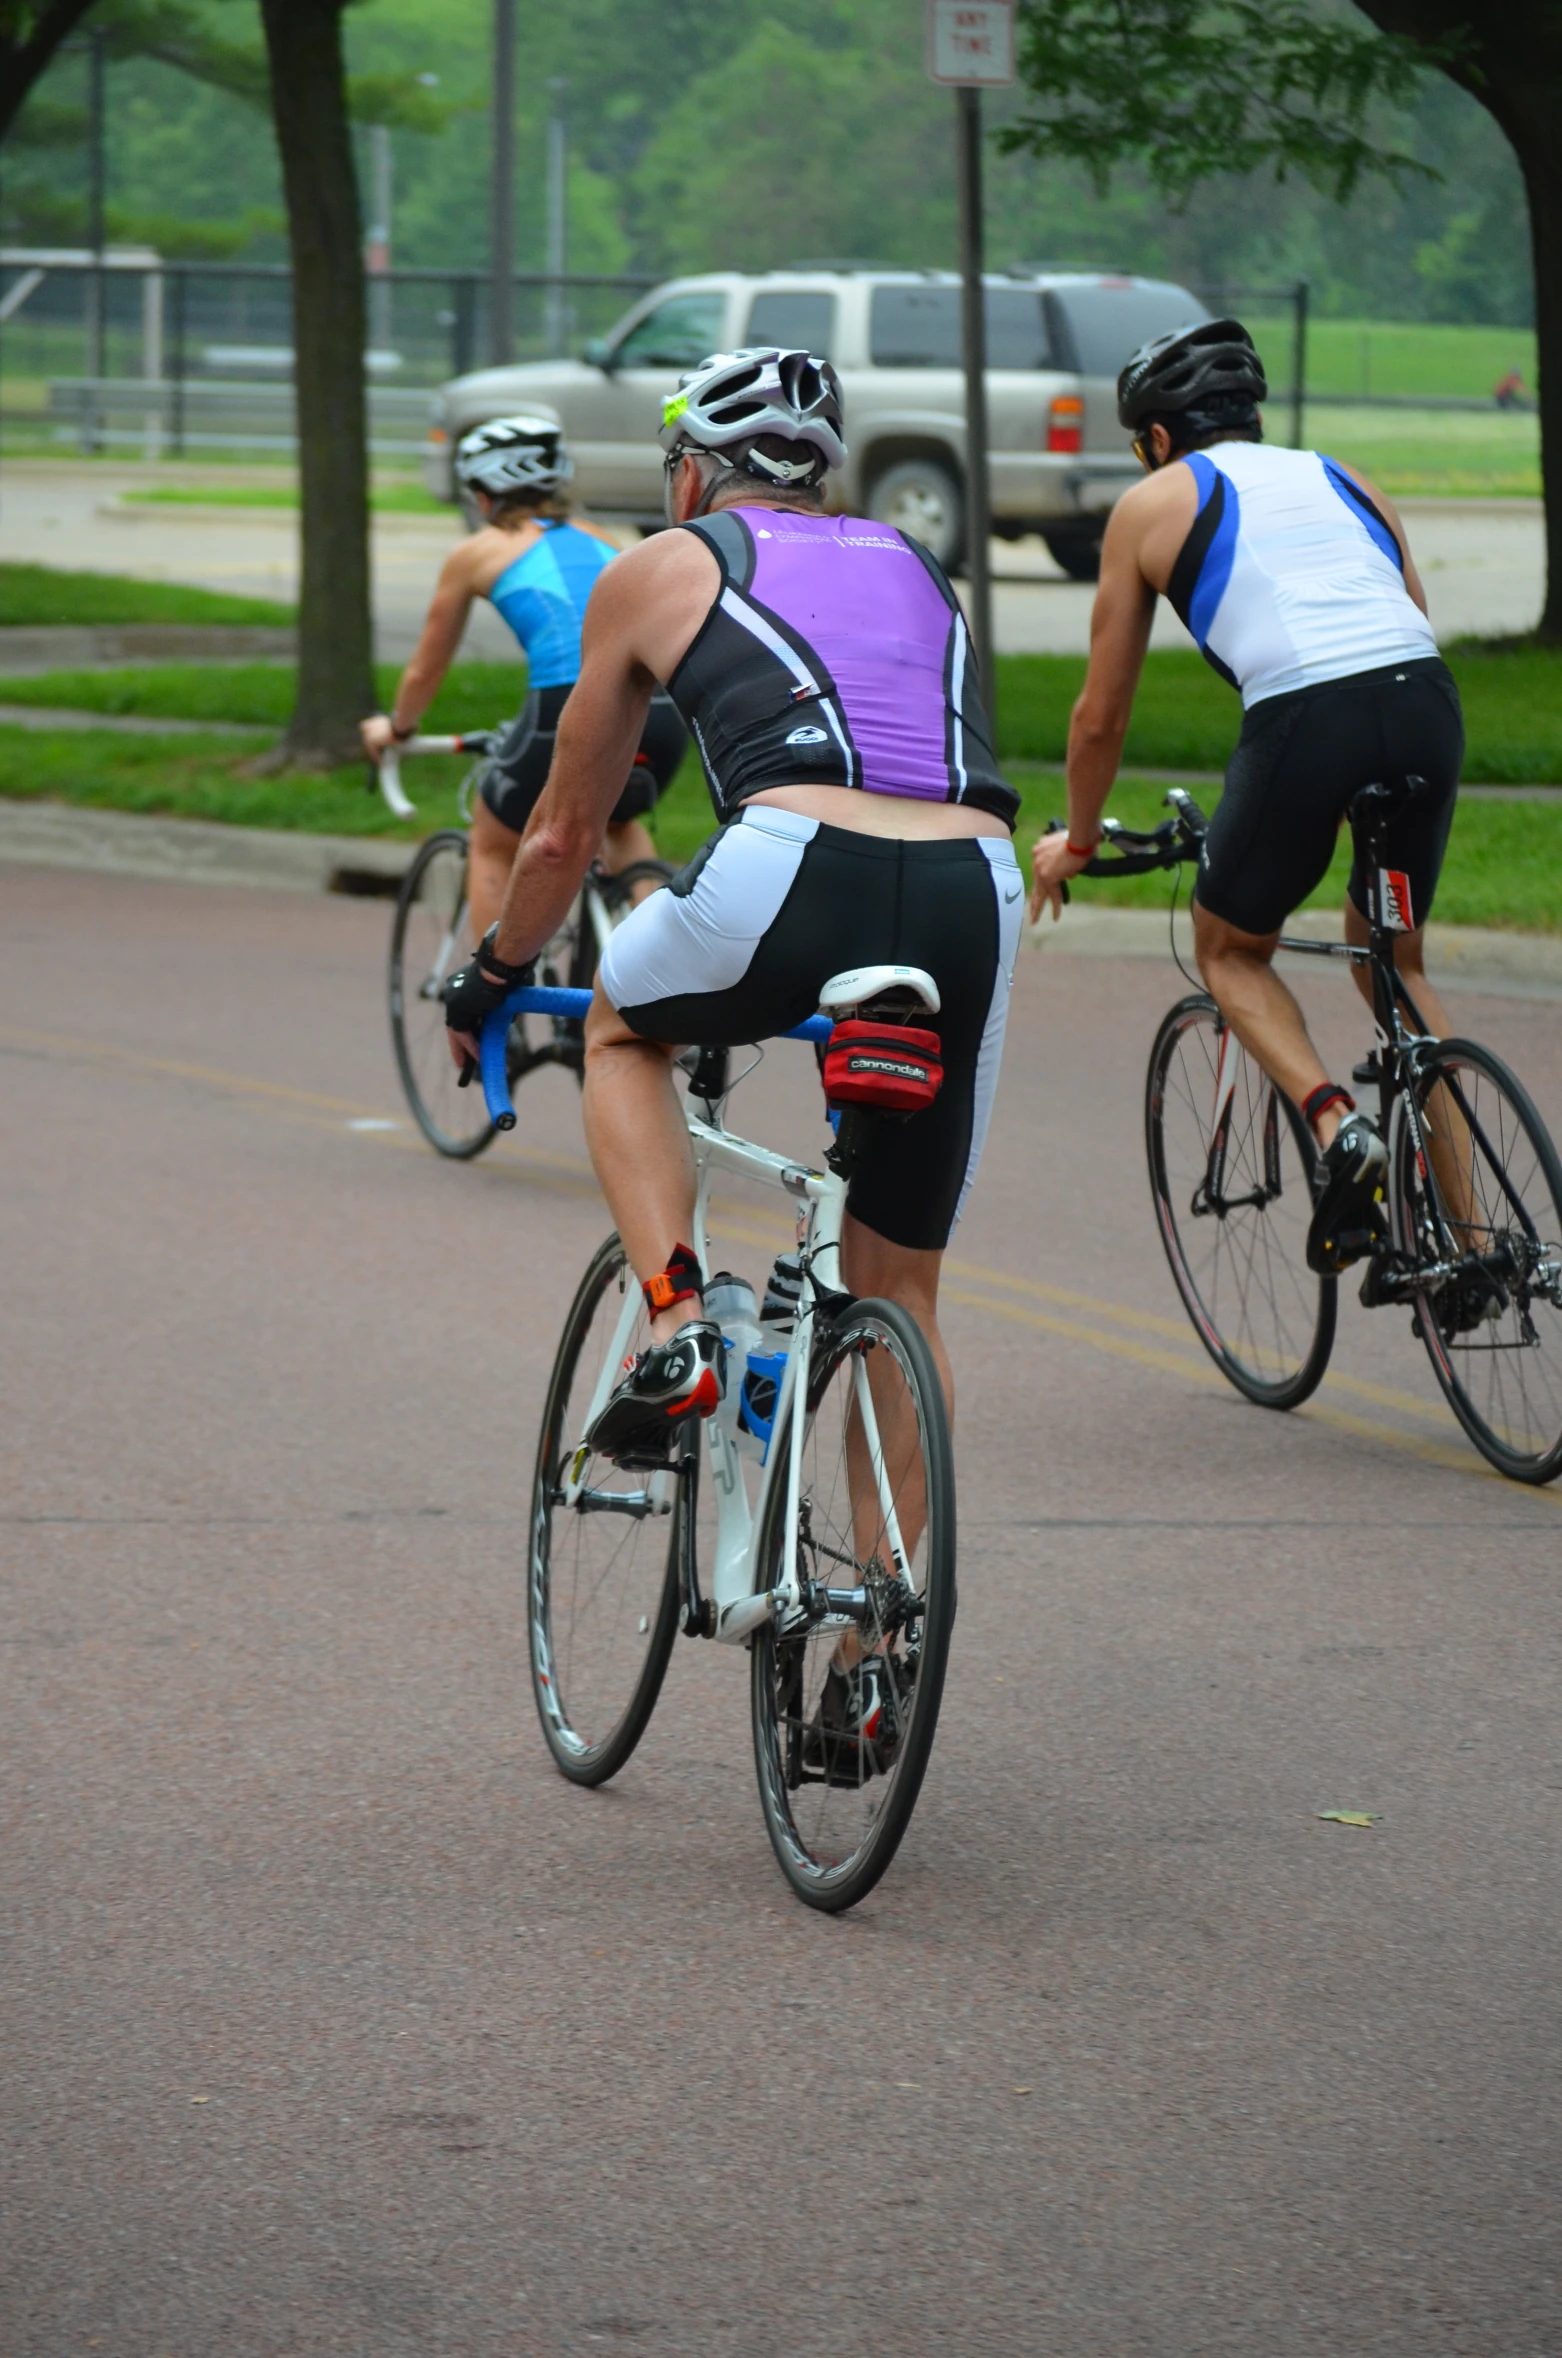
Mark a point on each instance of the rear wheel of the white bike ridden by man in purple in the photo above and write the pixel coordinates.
(874, 1546)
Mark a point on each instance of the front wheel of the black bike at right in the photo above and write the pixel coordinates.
(1235, 1211)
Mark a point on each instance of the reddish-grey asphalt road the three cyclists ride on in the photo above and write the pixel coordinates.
(336, 2022)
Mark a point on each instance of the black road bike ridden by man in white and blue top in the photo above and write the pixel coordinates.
(1471, 1220)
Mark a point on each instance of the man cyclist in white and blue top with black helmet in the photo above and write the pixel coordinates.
(1294, 577)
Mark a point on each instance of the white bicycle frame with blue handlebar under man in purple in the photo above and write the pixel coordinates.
(820, 1201)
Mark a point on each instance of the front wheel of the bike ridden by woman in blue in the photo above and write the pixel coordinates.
(431, 940)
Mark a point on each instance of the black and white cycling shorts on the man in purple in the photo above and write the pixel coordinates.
(773, 907)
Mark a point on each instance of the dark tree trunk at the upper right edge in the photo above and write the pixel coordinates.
(1511, 60)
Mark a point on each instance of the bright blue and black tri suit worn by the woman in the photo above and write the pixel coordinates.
(544, 598)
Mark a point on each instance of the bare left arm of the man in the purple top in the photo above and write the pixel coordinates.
(638, 624)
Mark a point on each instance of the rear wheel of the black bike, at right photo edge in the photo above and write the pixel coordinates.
(1516, 1201)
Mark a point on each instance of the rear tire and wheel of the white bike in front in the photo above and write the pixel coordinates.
(836, 1845)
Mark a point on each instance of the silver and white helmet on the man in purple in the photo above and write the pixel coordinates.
(735, 400)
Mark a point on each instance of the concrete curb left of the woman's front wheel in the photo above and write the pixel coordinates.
(199, 852)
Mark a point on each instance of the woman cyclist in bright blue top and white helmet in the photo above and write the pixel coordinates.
(537, 567)
